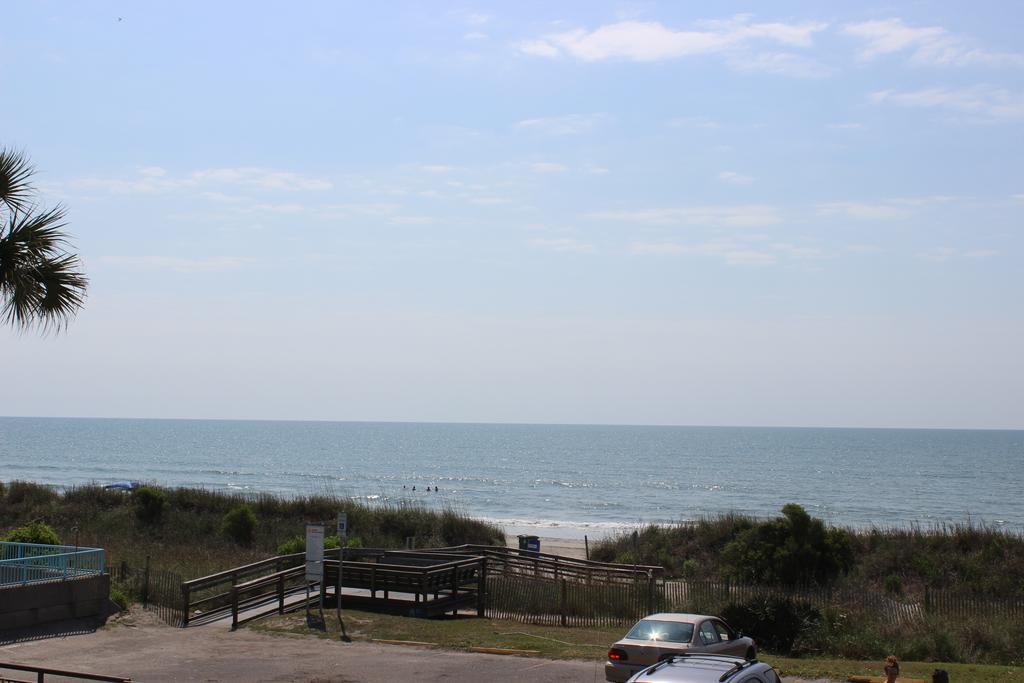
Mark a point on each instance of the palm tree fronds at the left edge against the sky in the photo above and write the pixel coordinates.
(41, 283)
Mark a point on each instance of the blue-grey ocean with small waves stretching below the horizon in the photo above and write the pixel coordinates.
(556, 481)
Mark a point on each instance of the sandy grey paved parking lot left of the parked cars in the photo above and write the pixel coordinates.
(142, 648)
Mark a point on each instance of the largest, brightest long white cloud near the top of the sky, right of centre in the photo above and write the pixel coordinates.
(652, 41)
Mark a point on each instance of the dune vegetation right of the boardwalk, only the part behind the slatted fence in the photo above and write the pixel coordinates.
(796, 549)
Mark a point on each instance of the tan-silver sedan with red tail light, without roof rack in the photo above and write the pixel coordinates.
(660, 636)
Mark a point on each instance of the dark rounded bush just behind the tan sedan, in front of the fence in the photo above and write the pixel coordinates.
(777, 624)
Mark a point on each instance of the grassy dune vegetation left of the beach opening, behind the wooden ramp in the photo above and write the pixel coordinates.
(195, 532)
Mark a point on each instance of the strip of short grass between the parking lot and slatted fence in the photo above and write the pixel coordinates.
(589, 645)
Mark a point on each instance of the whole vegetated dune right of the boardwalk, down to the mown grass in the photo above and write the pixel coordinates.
(810, 590)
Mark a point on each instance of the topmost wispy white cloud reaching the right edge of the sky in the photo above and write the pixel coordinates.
(928, 46)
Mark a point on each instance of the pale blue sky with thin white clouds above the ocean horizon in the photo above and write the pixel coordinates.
(771, 214)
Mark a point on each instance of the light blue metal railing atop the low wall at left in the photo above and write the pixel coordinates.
(32, 563)
